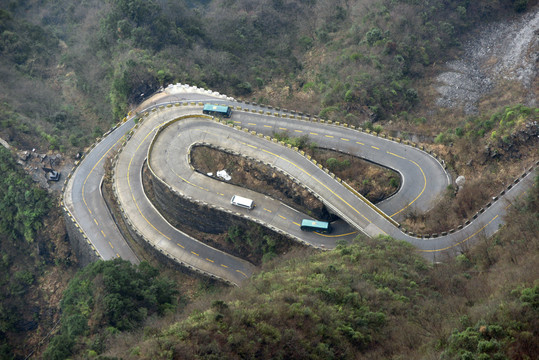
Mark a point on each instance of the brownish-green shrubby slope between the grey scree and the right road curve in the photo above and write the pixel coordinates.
(495, 141)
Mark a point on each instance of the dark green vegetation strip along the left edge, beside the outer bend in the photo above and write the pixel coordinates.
(22, 208)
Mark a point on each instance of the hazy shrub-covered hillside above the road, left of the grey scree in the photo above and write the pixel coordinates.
(80, 67)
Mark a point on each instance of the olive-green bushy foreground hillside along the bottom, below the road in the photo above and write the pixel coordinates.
(373, 299)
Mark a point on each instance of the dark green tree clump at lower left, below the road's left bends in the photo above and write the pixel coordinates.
(107, 297)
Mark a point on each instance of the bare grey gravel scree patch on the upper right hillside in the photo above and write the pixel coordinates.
(504, 50)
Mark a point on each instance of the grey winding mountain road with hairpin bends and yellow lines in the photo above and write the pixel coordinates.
(164, 137)
